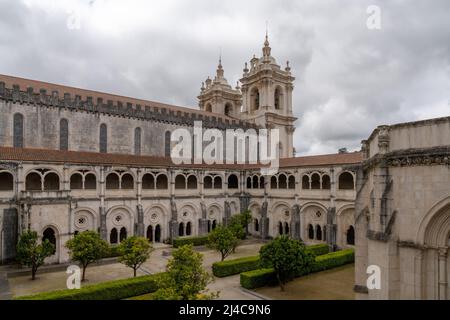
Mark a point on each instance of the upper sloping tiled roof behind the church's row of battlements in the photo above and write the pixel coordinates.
(84, 93)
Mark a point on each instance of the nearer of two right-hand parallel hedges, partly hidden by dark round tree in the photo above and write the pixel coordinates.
(262, 277)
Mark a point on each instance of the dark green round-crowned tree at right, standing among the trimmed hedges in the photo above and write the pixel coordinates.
(287, 257)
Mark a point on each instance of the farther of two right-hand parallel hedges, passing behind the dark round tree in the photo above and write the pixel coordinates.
(236, 266)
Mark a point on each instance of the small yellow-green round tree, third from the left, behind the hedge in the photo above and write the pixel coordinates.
(134, 251)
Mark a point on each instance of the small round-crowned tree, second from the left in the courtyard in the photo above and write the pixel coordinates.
(86, 247)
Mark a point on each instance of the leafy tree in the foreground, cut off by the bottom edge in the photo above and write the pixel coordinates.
(185, 278)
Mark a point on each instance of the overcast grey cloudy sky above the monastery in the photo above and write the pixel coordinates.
(349, 78)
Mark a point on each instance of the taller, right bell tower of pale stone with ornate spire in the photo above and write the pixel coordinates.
(267, 97)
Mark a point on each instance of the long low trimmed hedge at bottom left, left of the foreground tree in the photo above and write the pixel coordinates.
(112, 290)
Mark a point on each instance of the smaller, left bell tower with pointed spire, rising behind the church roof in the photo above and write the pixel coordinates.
(219, 97)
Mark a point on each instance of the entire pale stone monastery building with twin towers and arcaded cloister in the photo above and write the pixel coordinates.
(74, 160)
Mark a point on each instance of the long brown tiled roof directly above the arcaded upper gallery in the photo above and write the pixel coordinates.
(95, 158)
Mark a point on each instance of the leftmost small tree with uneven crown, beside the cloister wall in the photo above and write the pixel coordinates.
(32, 254)
